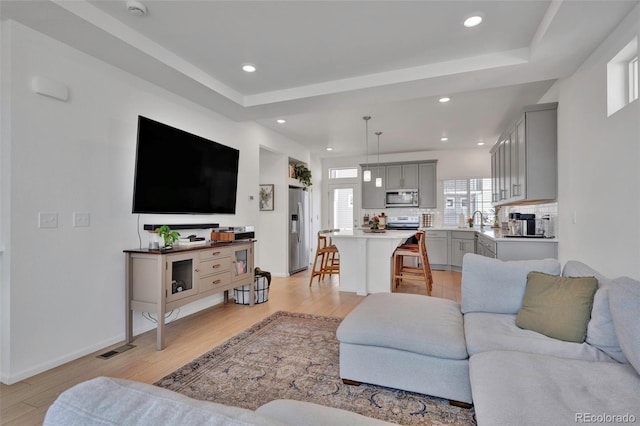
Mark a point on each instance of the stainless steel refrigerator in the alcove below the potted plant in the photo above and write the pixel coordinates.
(298, 230)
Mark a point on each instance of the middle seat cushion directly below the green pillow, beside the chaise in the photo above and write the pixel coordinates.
(489, 332)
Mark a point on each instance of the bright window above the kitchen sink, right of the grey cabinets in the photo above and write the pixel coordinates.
(467, 196)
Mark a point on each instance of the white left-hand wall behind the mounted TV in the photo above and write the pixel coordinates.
(63, 289)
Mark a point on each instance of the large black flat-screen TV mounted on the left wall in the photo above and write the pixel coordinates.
(178, 172)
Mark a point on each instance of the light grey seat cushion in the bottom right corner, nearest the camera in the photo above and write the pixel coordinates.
(513, 388)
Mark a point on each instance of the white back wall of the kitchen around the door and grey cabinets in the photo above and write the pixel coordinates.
(457, 164)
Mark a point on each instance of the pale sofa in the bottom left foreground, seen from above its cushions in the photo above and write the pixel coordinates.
(110, 401)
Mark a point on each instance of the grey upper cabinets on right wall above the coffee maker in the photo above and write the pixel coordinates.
(524, 160)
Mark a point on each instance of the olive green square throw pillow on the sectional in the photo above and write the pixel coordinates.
(558, 307)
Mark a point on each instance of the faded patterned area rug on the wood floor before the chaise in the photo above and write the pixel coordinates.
(296, 356)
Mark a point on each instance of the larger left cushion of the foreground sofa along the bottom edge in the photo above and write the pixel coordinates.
(109, 401)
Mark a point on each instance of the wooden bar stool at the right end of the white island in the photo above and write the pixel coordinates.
(412, 273)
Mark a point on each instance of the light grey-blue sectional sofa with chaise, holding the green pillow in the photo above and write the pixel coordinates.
(513, 376)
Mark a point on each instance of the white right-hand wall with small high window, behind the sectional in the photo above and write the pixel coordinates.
(599, 176)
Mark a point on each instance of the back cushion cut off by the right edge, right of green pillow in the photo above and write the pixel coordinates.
(625, 309)
